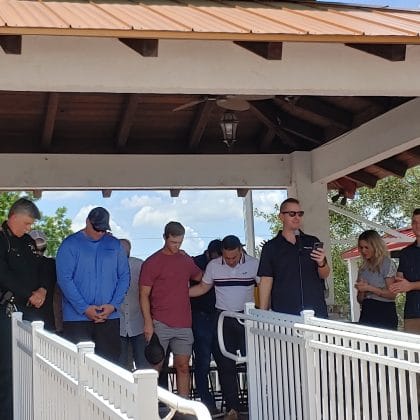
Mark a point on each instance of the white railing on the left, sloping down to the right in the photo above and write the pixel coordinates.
(55, 379)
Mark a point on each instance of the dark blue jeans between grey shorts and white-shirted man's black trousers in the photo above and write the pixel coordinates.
(204, 327)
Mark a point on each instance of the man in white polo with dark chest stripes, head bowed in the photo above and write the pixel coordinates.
(234, 276)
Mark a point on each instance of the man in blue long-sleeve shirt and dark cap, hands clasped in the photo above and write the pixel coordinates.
(93, 274)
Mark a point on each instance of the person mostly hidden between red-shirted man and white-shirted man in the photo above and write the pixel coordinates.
(204, 318)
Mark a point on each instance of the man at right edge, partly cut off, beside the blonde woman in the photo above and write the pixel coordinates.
(407, 278)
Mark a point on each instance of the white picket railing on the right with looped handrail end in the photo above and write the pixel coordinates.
(303, 367)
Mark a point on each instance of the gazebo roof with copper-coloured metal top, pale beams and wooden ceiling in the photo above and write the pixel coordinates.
(130, 95)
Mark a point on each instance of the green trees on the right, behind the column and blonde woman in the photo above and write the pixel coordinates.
(390, 203)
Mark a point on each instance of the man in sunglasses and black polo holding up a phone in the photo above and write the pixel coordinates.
(292, 268)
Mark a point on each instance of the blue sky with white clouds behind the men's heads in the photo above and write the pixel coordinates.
(141, 215)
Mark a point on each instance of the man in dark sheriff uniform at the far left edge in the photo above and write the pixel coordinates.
(21, 282)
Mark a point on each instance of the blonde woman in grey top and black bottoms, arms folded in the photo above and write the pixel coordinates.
(376, 273)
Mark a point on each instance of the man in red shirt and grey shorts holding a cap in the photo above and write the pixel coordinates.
(164, 301)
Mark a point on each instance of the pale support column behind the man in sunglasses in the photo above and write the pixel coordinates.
(313, 198)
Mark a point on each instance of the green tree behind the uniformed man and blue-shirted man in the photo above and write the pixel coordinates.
(55, 227)
